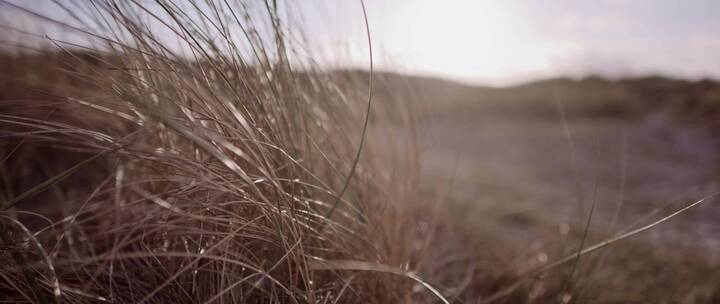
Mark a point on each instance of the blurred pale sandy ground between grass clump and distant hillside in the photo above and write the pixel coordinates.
(526, 175)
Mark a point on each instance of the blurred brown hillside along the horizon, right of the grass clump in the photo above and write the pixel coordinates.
(694, 102)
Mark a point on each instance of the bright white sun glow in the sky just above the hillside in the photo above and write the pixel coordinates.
(471, 40)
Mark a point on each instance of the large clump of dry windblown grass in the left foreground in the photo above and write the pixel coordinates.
(213, 173)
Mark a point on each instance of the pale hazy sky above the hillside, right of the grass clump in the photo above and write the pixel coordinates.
(504, 42)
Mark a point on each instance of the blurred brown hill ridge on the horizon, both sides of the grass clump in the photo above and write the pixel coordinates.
(695, 102)
